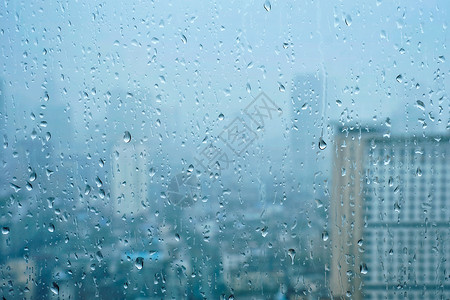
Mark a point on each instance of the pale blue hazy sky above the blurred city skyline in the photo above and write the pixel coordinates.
(200, 59)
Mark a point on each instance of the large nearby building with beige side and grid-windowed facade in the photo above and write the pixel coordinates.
(389, 220)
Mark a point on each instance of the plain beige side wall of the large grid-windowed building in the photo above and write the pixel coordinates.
(346, 214)
